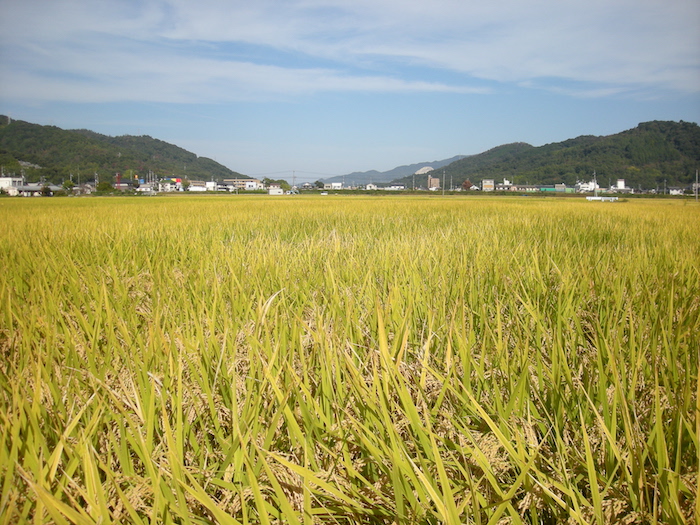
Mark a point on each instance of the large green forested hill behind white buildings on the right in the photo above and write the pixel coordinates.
(645, 157)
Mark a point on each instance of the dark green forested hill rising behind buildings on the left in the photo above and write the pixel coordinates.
(61, 152)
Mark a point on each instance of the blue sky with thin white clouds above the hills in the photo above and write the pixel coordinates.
(327, 87)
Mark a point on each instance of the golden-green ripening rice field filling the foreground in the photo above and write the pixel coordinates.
(384, 360)
